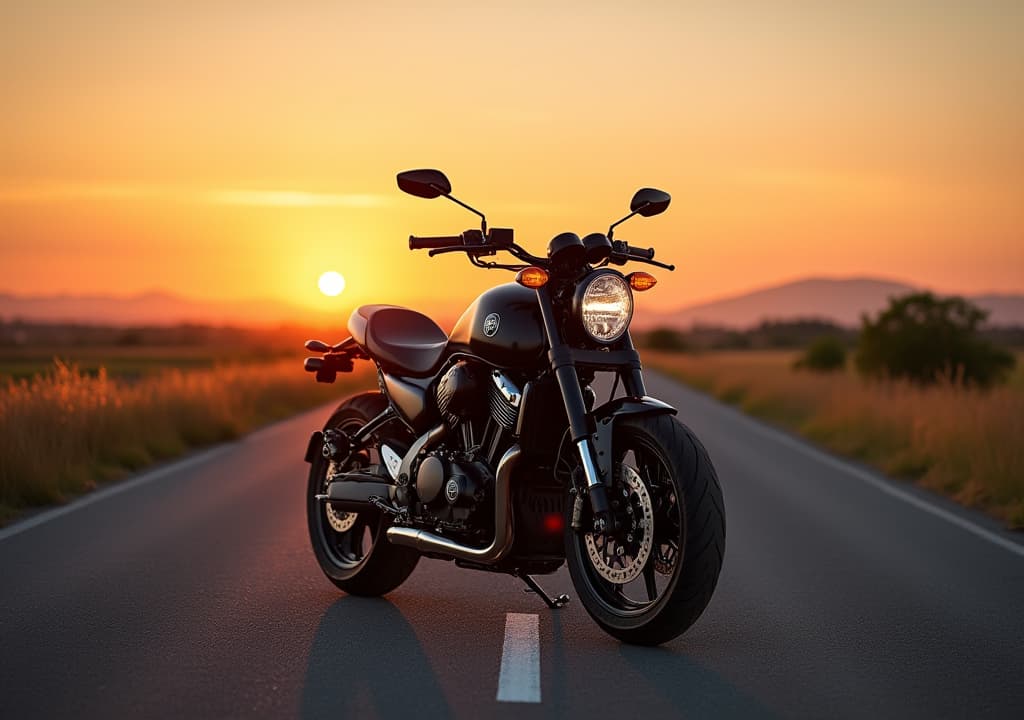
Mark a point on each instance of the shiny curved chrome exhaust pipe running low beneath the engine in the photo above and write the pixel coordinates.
(429, 542)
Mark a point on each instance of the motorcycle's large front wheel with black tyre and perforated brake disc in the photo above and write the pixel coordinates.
(651, 579)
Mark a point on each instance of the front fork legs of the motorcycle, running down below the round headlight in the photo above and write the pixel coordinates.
(563, 361)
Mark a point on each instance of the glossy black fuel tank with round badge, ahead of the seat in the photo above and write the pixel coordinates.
(503, 326)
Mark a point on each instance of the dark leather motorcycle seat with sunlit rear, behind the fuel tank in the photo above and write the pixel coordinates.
(404, 342)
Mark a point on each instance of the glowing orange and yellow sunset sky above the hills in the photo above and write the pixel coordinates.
(228, 150)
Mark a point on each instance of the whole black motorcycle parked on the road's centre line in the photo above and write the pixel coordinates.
(488, 447)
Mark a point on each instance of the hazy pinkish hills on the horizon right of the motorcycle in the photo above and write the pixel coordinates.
(840, 301)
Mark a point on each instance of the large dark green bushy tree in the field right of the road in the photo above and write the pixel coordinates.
(923, 338)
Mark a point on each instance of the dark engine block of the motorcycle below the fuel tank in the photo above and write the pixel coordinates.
(456, 481)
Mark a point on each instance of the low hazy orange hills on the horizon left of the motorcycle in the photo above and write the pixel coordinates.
(158, 309)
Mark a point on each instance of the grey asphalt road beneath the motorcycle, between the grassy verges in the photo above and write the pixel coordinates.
(193, 594)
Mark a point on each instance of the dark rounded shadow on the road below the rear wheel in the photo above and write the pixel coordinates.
(366, 661)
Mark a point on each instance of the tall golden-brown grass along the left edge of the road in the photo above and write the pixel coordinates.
(65, 433)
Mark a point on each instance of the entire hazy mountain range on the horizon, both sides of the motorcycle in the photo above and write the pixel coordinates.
(839, 301)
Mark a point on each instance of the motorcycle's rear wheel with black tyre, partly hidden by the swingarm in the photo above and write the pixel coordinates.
(352, 548)
